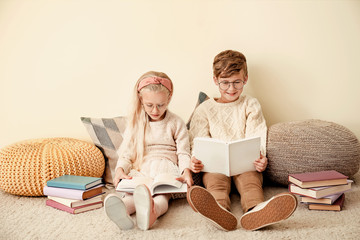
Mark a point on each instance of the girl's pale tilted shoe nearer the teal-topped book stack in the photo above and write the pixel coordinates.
(115, 209)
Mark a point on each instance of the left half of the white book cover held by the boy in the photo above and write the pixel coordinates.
(213, 154)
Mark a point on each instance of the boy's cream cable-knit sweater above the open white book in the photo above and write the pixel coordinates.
(240, 119)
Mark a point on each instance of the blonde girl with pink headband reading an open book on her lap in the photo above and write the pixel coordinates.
(155, 141)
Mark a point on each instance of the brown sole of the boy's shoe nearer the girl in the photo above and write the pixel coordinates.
(203, 202)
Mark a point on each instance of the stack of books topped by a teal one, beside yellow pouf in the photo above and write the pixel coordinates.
(74, 194)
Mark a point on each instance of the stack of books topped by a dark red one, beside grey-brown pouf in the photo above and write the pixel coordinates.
(324, 190)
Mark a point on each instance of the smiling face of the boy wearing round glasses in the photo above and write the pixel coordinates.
(231, 87)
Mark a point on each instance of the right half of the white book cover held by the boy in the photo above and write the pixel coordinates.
(242, 154)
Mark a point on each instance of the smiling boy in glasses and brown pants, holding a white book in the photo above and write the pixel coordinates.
(234, 116)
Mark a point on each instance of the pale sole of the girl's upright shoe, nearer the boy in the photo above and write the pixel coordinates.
(142, 199)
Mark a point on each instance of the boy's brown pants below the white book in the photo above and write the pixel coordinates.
(248, 184)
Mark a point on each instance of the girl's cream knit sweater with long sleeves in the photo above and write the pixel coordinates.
(167, 139)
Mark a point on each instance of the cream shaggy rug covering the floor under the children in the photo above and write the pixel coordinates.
(29, 218)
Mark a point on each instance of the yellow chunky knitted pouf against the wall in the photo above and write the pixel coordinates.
(26, 166)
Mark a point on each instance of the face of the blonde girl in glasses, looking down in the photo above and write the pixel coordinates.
(155, 104)
